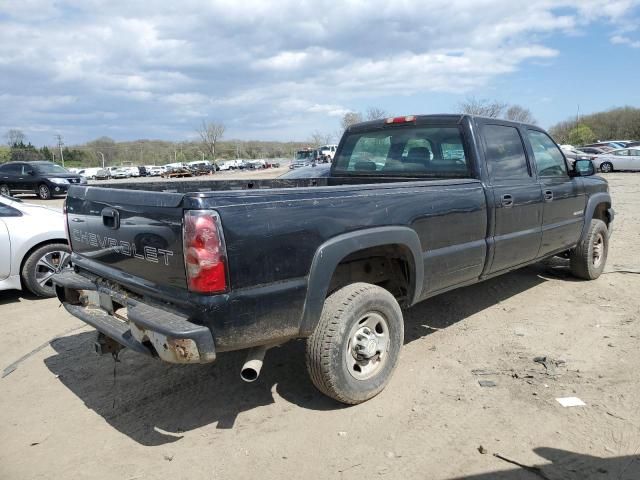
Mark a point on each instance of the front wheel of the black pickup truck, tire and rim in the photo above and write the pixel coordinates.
(588, 258)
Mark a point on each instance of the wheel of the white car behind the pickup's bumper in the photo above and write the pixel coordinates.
(34, 271)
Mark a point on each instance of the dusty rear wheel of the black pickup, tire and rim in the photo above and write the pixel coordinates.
(331, 360)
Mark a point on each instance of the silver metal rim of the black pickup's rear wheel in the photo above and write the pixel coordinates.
(367, 350)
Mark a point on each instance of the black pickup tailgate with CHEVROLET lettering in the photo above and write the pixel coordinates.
(136, 232)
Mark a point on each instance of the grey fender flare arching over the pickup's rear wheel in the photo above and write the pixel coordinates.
(331, 253)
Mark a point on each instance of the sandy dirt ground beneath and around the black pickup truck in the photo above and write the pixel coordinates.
(67, 413)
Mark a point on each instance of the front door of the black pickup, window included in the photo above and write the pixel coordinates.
(564, 198)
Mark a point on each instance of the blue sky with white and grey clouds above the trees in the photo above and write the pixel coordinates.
(284, 70)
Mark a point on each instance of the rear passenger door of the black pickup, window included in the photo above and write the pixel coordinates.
(517, 198)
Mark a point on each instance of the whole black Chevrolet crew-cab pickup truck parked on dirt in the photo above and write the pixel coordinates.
(413, 206)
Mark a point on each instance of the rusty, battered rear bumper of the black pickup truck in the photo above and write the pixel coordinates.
(142, 327)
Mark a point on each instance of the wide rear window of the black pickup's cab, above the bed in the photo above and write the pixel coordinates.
(412, 151)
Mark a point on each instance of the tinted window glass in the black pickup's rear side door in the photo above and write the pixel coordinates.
(505, 153)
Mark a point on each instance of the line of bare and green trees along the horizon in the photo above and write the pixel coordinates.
(617, 123)
